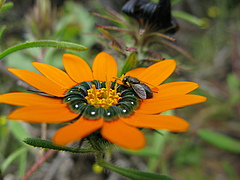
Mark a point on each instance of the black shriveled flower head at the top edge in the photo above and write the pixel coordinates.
(152, 16)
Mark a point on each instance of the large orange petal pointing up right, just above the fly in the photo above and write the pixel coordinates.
(158, 72)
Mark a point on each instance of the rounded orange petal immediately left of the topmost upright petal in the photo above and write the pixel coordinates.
(77, 68)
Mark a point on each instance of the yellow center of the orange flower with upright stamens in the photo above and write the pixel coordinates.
(103, 97)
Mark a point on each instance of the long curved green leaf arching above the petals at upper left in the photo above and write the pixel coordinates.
(44, 43)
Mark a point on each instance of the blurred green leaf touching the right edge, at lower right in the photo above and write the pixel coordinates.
(220, 140)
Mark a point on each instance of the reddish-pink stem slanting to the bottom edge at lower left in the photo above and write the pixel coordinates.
(39, 162)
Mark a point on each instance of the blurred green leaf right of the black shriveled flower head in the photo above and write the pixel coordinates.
(188, 17)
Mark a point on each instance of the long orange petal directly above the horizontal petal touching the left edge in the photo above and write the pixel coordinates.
(40, 82)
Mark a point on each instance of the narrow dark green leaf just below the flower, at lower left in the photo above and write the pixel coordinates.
(49, 145)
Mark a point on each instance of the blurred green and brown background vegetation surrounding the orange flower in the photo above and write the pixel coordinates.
(208, 151)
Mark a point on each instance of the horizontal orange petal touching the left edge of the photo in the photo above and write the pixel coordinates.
(27, 99)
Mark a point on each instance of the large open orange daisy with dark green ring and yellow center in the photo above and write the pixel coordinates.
(93, 102)
